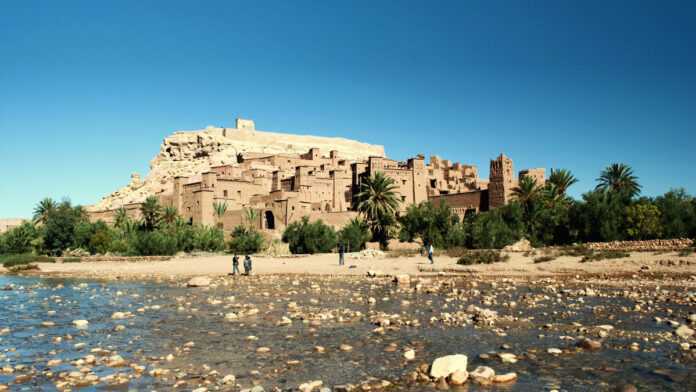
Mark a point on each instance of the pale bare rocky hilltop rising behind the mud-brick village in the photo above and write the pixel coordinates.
(187, 153)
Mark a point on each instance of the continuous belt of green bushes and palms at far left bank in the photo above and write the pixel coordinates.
(62, 226)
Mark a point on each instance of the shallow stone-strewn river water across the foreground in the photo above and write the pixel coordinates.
(330, 312)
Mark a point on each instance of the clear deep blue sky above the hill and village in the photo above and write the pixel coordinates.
(89, 89)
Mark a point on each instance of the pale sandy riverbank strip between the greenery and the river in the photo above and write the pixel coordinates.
(518, 265)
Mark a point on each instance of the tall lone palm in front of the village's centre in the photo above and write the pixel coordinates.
(378, 203)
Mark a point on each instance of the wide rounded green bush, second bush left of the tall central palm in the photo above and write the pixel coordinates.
(304, 237)
